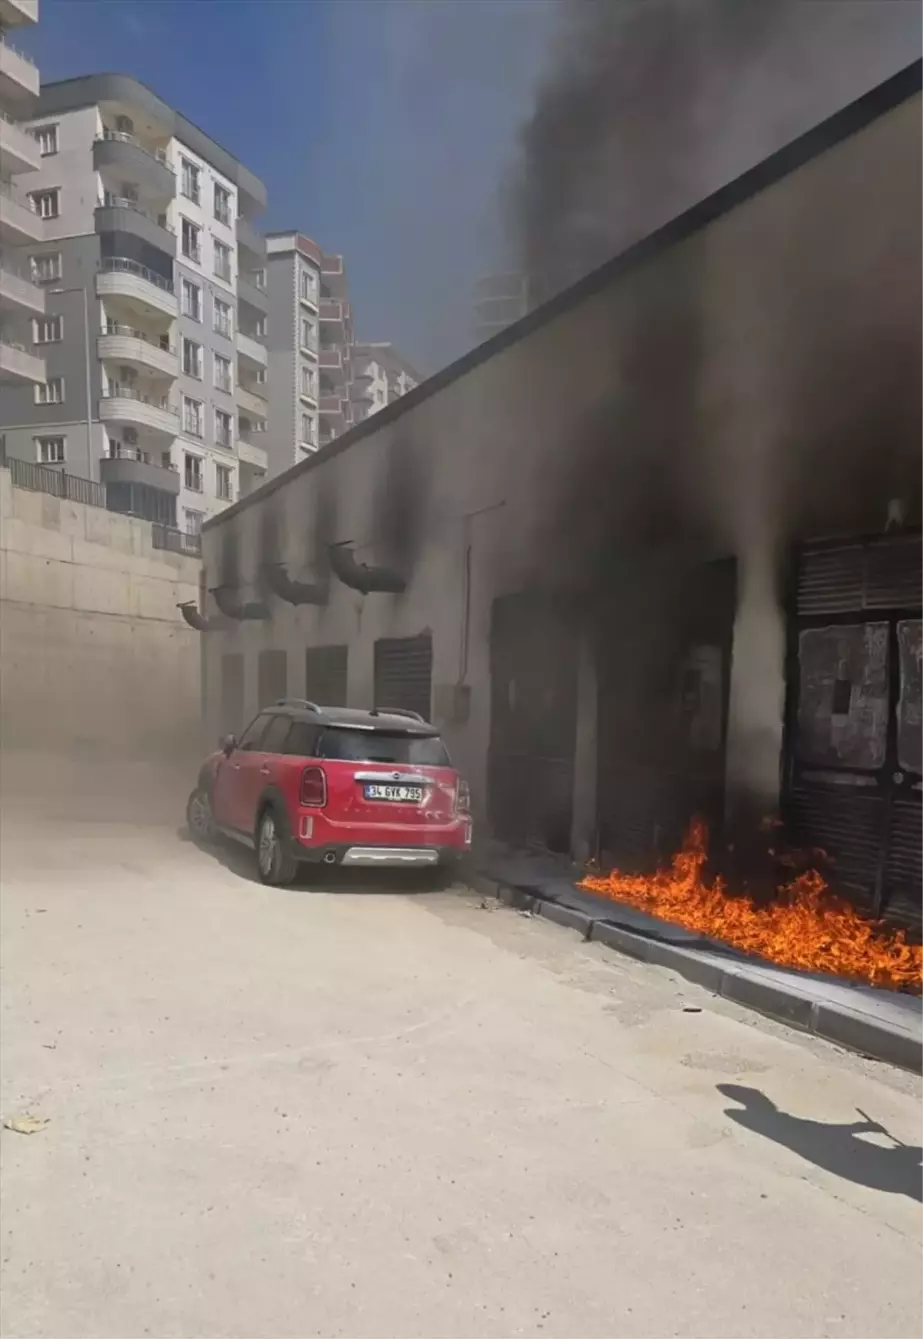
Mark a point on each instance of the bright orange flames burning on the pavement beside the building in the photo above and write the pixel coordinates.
(807, 927)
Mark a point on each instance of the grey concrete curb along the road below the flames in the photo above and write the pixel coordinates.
(780, 1000)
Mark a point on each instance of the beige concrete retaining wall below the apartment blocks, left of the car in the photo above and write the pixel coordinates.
(94, 654)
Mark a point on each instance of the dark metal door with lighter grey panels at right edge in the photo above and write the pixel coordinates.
(855, 721)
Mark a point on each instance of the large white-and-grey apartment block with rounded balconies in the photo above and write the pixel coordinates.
(155, 323)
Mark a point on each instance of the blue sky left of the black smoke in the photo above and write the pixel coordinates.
(381, 128)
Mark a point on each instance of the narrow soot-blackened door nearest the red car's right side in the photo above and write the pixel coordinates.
(534, 712)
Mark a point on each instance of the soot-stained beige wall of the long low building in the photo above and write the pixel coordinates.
(755, 382)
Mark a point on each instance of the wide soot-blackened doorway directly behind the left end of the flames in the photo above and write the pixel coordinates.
(664, 665)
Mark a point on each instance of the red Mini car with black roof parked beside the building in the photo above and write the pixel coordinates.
(350, 788)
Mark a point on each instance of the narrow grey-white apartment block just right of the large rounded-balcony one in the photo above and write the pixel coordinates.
(294, 266)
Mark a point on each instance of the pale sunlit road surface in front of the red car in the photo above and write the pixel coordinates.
(342, 1112)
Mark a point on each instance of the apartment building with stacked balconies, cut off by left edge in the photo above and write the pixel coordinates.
(22, 301)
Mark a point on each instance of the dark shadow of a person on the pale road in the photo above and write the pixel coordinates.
(833, 1147)
